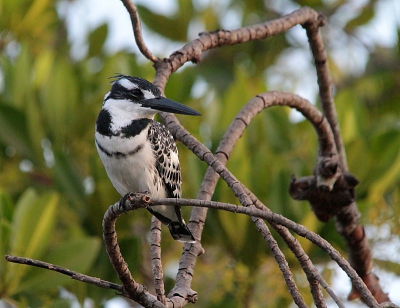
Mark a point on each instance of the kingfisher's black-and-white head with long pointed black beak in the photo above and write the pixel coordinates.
(139, 97)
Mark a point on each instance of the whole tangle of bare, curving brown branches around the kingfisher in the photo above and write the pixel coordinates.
(330, 190)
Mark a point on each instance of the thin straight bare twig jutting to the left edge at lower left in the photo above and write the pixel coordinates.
(74, 275)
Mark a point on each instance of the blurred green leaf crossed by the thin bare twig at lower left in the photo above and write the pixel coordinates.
(77, 254)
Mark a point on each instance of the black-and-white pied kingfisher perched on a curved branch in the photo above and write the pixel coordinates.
(138, 153)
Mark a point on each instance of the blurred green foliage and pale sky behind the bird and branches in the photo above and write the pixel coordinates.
(56, 58)
